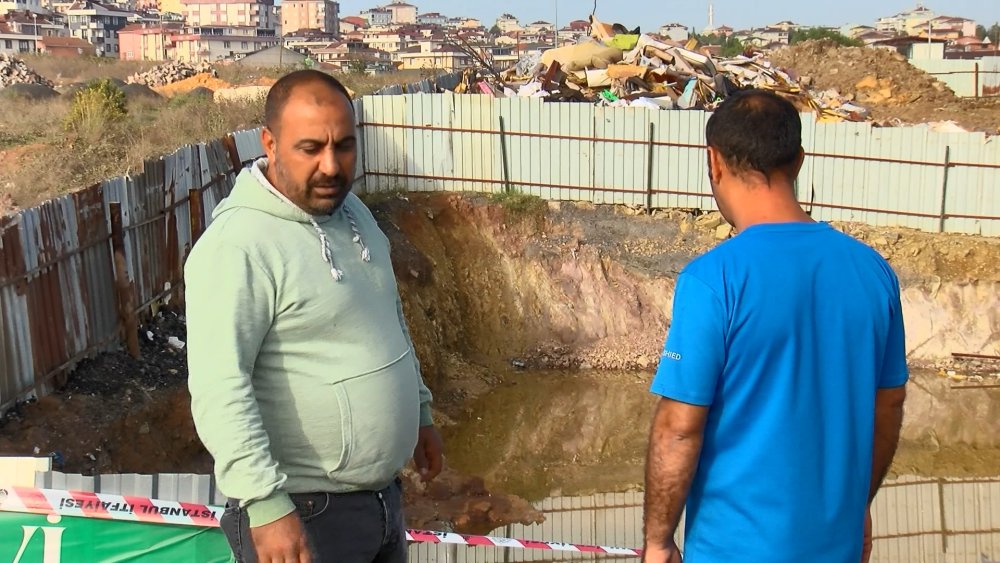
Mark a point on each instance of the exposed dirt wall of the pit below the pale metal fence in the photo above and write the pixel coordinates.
(577, 286)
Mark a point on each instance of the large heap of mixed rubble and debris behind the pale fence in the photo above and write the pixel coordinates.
(619, 68)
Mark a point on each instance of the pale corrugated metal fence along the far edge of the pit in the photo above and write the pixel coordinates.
(904, 176)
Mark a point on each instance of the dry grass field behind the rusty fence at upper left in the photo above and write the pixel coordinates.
(39, 159)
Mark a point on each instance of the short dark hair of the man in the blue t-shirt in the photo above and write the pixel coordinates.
(756, 130)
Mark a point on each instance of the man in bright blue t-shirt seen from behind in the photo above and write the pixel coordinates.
(782, 379)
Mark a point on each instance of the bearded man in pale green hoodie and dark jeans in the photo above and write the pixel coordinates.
(304, 383)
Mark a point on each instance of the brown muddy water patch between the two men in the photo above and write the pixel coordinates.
(546, 433)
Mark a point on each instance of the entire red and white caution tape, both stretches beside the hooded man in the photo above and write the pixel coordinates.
(140, 509)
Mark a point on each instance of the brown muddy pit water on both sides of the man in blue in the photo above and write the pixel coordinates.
(551, 433)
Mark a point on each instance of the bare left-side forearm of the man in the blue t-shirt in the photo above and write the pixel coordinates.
(670, 465)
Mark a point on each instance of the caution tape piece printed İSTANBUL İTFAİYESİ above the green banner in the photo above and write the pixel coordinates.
(107, 506)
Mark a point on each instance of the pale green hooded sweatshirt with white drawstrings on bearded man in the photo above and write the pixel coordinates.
(303, 376)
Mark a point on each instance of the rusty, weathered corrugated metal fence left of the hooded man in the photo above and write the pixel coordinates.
(76, 271)
